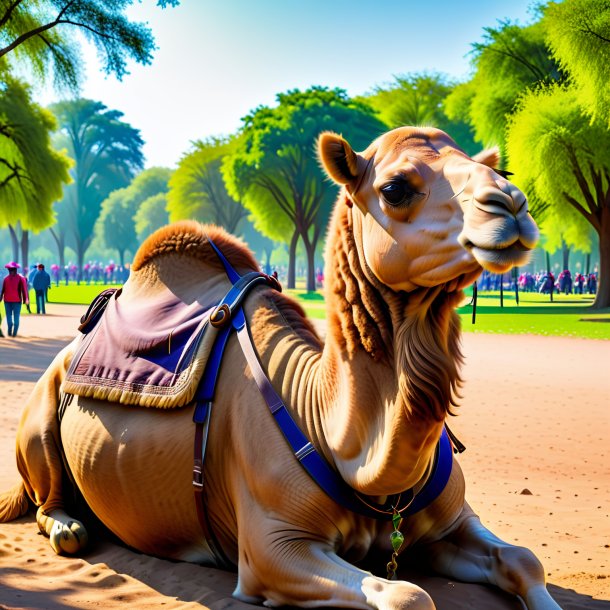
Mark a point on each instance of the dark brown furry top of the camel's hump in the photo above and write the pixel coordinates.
(191, 239)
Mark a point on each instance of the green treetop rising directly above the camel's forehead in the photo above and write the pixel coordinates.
(418, 99)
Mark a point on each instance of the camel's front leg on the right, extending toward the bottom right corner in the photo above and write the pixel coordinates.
(471, 553)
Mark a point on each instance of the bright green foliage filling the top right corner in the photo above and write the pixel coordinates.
(579, 37)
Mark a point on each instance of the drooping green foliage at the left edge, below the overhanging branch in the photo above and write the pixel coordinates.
(32, 172)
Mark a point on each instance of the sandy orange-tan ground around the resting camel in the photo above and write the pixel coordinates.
(535, 419)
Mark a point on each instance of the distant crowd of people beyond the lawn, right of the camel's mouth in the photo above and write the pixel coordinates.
(544, 282)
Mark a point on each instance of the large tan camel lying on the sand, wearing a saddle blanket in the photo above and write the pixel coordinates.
(415, 223)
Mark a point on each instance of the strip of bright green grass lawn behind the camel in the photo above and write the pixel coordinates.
(566, 316)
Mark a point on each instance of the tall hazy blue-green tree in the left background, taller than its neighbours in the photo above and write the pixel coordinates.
(107, 154)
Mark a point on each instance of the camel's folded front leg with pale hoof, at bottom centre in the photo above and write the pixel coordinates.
(284, 566)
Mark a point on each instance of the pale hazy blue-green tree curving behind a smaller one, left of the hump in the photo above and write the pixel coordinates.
(117, 222)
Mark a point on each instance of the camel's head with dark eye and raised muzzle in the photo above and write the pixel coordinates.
(425, 213)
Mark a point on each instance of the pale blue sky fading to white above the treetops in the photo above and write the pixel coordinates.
(219, 59)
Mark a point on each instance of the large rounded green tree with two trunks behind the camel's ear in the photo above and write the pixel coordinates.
(275, 171)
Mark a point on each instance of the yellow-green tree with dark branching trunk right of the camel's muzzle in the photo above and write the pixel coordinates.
(570, 146)
